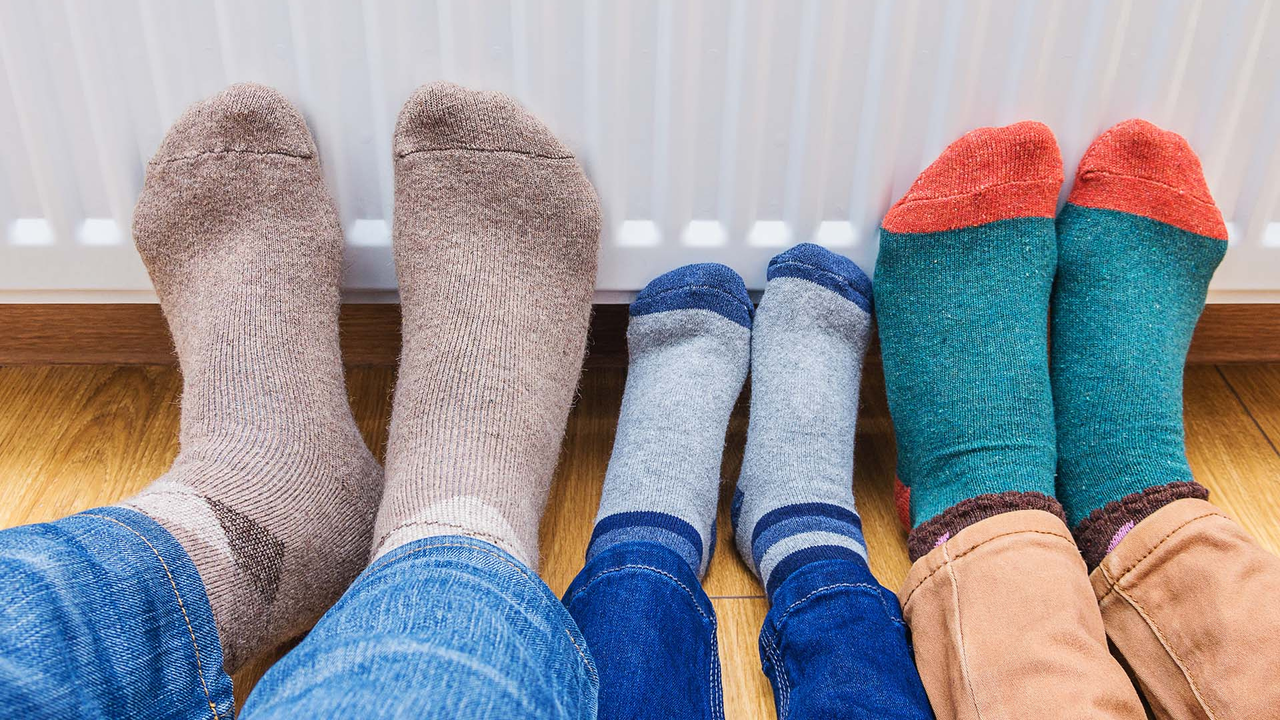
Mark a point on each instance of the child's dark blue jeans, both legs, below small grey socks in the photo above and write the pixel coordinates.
(834, 645)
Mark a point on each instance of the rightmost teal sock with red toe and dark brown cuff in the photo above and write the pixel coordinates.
(1139, 243)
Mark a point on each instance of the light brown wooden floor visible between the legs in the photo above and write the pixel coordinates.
(76, 438)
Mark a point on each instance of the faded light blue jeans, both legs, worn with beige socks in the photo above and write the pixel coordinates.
(104, 616)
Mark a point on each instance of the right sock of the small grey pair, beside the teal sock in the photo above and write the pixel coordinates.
(794, 503)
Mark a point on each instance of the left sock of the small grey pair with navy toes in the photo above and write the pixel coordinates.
(689, 340)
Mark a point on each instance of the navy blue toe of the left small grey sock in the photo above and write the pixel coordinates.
(705, 286)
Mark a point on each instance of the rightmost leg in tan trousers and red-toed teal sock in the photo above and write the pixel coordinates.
(1188, 598)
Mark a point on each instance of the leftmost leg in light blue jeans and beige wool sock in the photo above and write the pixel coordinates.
(267, 513)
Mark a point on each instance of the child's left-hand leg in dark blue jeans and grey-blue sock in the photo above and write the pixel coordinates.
(639, 600)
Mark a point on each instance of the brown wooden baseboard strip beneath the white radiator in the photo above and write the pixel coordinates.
(136, 335)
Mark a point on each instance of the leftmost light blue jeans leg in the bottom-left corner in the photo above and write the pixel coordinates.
(106, 616)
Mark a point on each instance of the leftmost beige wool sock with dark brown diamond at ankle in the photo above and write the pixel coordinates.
(273, 493)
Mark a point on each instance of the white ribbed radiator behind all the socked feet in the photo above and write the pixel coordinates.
(715, 130)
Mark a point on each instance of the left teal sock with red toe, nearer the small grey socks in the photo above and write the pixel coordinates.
(963, 282)
